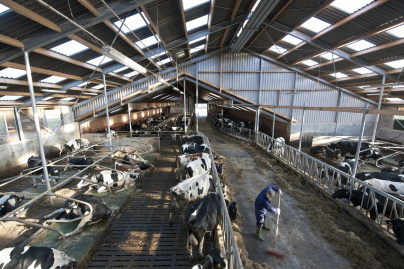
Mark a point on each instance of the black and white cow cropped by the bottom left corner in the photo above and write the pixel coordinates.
(35, 257)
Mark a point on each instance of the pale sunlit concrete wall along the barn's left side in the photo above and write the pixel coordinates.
(16, 154)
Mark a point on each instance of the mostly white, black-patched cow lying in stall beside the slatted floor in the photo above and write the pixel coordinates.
(109, 179)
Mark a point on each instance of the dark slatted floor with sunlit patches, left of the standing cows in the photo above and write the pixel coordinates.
(141, 236)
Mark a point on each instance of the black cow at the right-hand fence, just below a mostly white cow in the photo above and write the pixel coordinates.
(368, 201)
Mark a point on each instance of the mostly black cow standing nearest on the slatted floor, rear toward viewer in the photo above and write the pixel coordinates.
(202, 217)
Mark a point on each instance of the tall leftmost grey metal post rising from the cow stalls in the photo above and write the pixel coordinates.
(36, 120)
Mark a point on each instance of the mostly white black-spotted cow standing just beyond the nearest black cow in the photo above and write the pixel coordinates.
(189, 190)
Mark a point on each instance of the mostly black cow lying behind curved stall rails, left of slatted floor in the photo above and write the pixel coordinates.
(75, 210)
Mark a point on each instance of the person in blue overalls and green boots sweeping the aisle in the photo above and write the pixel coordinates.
(262, 204)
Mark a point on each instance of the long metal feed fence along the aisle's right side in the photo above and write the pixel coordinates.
(328, 177)
